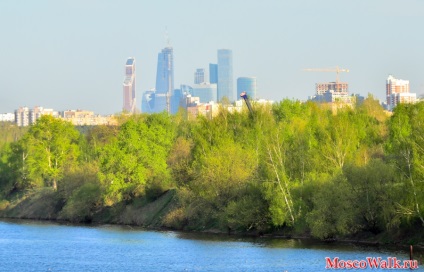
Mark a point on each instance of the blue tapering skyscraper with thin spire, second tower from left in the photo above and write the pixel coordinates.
(164, 79)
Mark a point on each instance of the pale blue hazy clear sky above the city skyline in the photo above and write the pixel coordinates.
(71, 54)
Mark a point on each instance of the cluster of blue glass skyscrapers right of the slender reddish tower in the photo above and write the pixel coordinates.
(165, 98)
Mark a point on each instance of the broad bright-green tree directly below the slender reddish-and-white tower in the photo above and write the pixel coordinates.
(136, 159)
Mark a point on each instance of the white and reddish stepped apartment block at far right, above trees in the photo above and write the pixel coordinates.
(397, 91)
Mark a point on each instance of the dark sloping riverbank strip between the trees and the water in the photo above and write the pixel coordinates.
(150, 214)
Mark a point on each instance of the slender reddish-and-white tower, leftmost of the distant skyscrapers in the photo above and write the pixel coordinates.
(129, 86)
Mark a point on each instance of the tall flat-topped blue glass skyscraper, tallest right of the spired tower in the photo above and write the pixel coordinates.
(225, 74)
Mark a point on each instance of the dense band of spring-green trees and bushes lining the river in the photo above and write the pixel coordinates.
(292, 166)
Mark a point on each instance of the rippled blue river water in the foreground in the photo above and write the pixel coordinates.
(42, 246)
